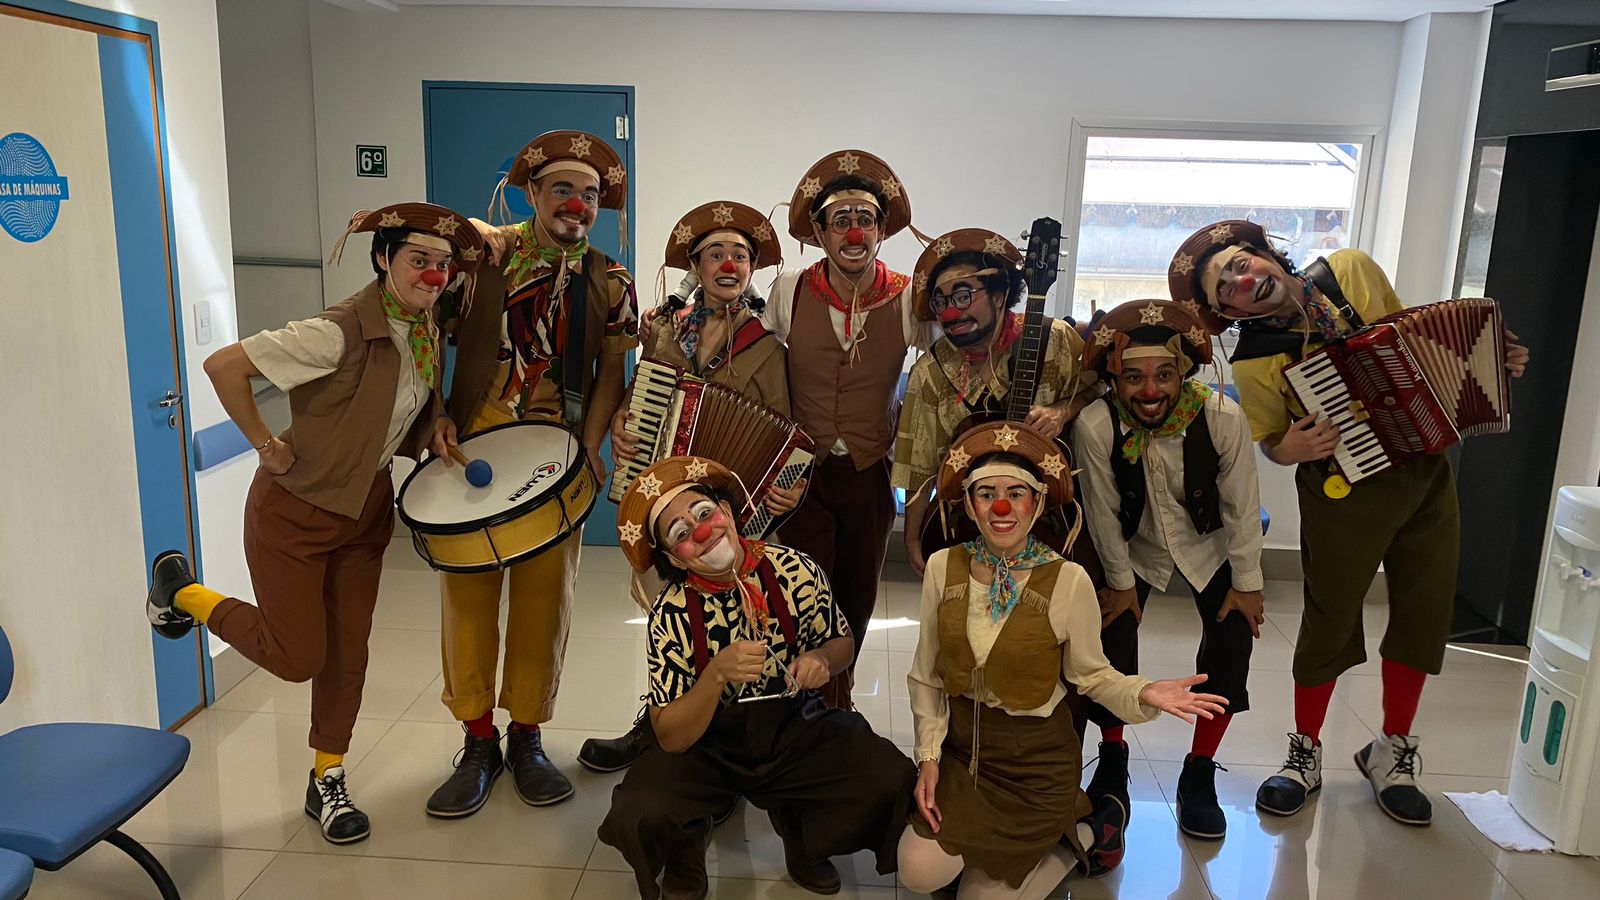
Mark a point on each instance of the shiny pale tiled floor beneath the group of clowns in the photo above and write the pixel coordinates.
(231, 827)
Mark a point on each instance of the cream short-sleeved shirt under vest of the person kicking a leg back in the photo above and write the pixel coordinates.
(313, 348)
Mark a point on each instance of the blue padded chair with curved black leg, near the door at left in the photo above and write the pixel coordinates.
(66, 787)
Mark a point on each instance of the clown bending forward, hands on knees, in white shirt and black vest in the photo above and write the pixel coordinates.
(1170, 486)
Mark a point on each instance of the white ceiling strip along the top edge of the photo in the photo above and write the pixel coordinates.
(1302, 10)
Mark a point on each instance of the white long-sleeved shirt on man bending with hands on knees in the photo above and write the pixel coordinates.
(1167, 537)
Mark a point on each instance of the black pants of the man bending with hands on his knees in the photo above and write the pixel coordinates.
(1225, 646)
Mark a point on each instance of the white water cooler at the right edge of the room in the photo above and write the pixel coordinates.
(1556, 768)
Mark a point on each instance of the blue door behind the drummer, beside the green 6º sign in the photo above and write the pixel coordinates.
(474, 131)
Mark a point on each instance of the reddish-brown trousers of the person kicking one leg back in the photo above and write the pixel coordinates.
(316, 579)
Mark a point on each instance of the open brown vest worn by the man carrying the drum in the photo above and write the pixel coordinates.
(479, 335)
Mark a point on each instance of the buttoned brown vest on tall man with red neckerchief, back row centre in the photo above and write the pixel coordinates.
(836, 400)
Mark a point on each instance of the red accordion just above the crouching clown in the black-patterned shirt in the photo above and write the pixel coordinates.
(678, 416)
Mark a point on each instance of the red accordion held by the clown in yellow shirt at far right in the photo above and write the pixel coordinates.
(1410, 385)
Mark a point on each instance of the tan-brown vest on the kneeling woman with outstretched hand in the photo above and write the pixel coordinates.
(1025, 665)
